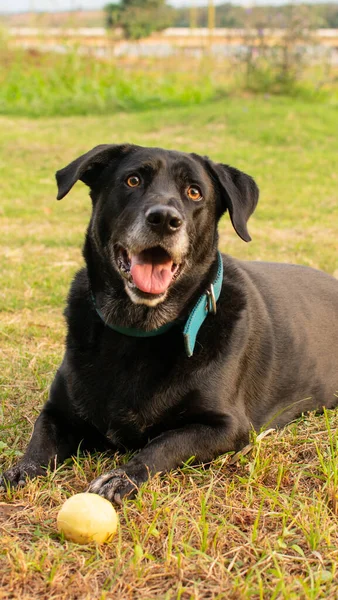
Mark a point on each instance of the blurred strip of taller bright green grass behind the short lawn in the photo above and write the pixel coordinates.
(38, 84)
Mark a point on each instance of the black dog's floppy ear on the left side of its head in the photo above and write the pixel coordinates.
(87, 167)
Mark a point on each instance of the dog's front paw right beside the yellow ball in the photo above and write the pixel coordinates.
(117, 484)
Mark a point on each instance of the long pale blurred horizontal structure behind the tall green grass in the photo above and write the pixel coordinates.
(193, 41)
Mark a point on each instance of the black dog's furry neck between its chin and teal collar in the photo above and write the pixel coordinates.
(118, 309)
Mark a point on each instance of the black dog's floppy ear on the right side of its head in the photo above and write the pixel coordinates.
(239, 195)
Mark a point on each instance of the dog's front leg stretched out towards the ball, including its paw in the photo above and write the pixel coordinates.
(168, 451)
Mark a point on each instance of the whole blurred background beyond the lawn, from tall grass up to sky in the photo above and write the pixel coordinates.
(174, 53)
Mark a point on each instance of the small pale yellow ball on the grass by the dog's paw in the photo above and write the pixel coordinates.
(86, 518)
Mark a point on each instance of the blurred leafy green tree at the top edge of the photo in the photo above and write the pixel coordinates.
(139, 18)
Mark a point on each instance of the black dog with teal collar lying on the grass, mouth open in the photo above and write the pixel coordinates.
(133, 375)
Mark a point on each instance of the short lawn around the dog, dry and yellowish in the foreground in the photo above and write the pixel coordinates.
(264, 528)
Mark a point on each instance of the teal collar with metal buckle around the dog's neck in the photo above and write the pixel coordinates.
(205, 304)
